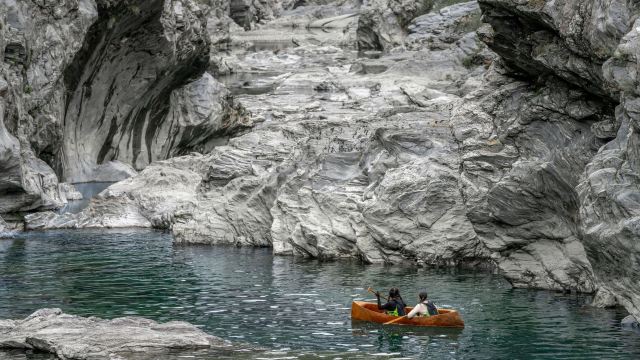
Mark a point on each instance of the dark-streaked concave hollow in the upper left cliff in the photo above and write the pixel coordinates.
(121, 82)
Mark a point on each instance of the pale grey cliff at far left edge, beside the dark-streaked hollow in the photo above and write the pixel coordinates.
(37, 41)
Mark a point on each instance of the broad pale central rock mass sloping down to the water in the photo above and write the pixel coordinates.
(430, 162)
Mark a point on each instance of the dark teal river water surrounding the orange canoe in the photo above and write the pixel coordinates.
(298, 307)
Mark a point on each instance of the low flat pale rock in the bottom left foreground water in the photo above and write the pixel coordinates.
(74, 337)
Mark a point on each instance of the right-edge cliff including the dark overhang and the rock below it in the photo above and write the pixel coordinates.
(593, 45)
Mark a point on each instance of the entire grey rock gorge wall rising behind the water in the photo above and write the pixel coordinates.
(509, 144)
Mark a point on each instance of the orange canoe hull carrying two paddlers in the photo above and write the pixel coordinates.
(365, 311)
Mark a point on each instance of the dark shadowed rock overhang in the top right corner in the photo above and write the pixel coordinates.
(570, 39)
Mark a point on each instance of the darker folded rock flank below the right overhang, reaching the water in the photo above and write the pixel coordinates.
(523, 150)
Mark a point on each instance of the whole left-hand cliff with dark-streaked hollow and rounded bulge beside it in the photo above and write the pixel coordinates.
(90, 90)
